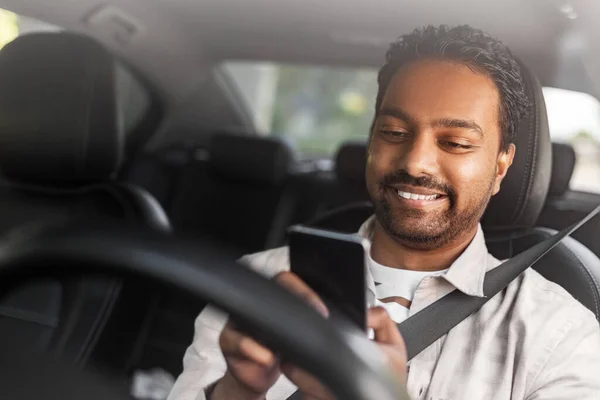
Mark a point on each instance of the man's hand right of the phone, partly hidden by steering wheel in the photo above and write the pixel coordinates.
(386, 335)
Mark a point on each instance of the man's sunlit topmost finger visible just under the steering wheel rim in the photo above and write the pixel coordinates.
(235, 344)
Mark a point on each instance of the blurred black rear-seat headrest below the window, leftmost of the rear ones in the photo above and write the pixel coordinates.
(250, 158)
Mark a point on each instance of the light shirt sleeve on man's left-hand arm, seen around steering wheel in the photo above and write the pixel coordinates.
(203, 362)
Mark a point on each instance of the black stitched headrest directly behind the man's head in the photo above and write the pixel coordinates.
(524, 189)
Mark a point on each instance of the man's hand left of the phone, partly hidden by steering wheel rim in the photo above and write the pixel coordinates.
(253, 369)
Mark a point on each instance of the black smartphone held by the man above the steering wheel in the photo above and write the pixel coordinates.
(333, 265)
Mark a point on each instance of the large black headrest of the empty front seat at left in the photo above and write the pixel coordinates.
(59, 119)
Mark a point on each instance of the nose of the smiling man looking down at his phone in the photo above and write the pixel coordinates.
(420, 156)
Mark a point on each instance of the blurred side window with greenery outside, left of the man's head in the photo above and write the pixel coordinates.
(316, 107)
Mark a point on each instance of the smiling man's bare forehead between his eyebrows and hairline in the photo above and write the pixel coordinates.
(434, 89)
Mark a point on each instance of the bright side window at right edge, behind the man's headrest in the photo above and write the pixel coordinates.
(574, 118)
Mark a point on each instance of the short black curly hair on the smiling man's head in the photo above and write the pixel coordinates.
(478, 50)
